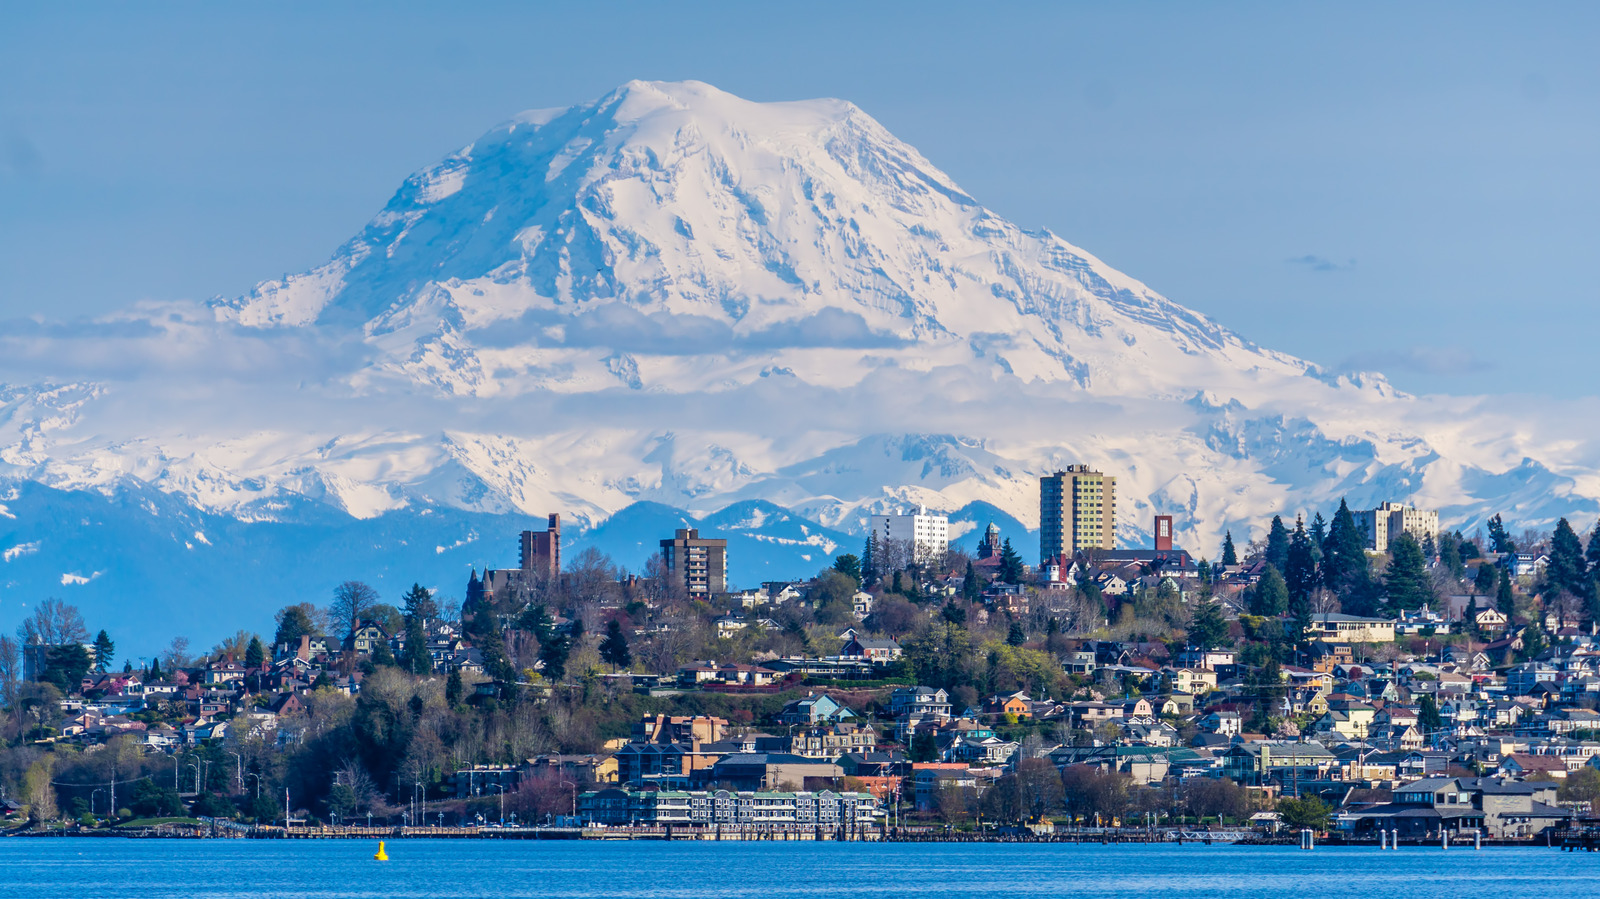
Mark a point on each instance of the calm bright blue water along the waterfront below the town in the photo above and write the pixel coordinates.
(153, 869)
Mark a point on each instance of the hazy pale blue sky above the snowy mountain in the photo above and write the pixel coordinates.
(1412, 191)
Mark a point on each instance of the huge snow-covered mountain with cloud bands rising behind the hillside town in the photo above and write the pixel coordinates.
(682, 298)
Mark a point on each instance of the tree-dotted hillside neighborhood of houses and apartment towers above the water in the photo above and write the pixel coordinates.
(1370, 676)
